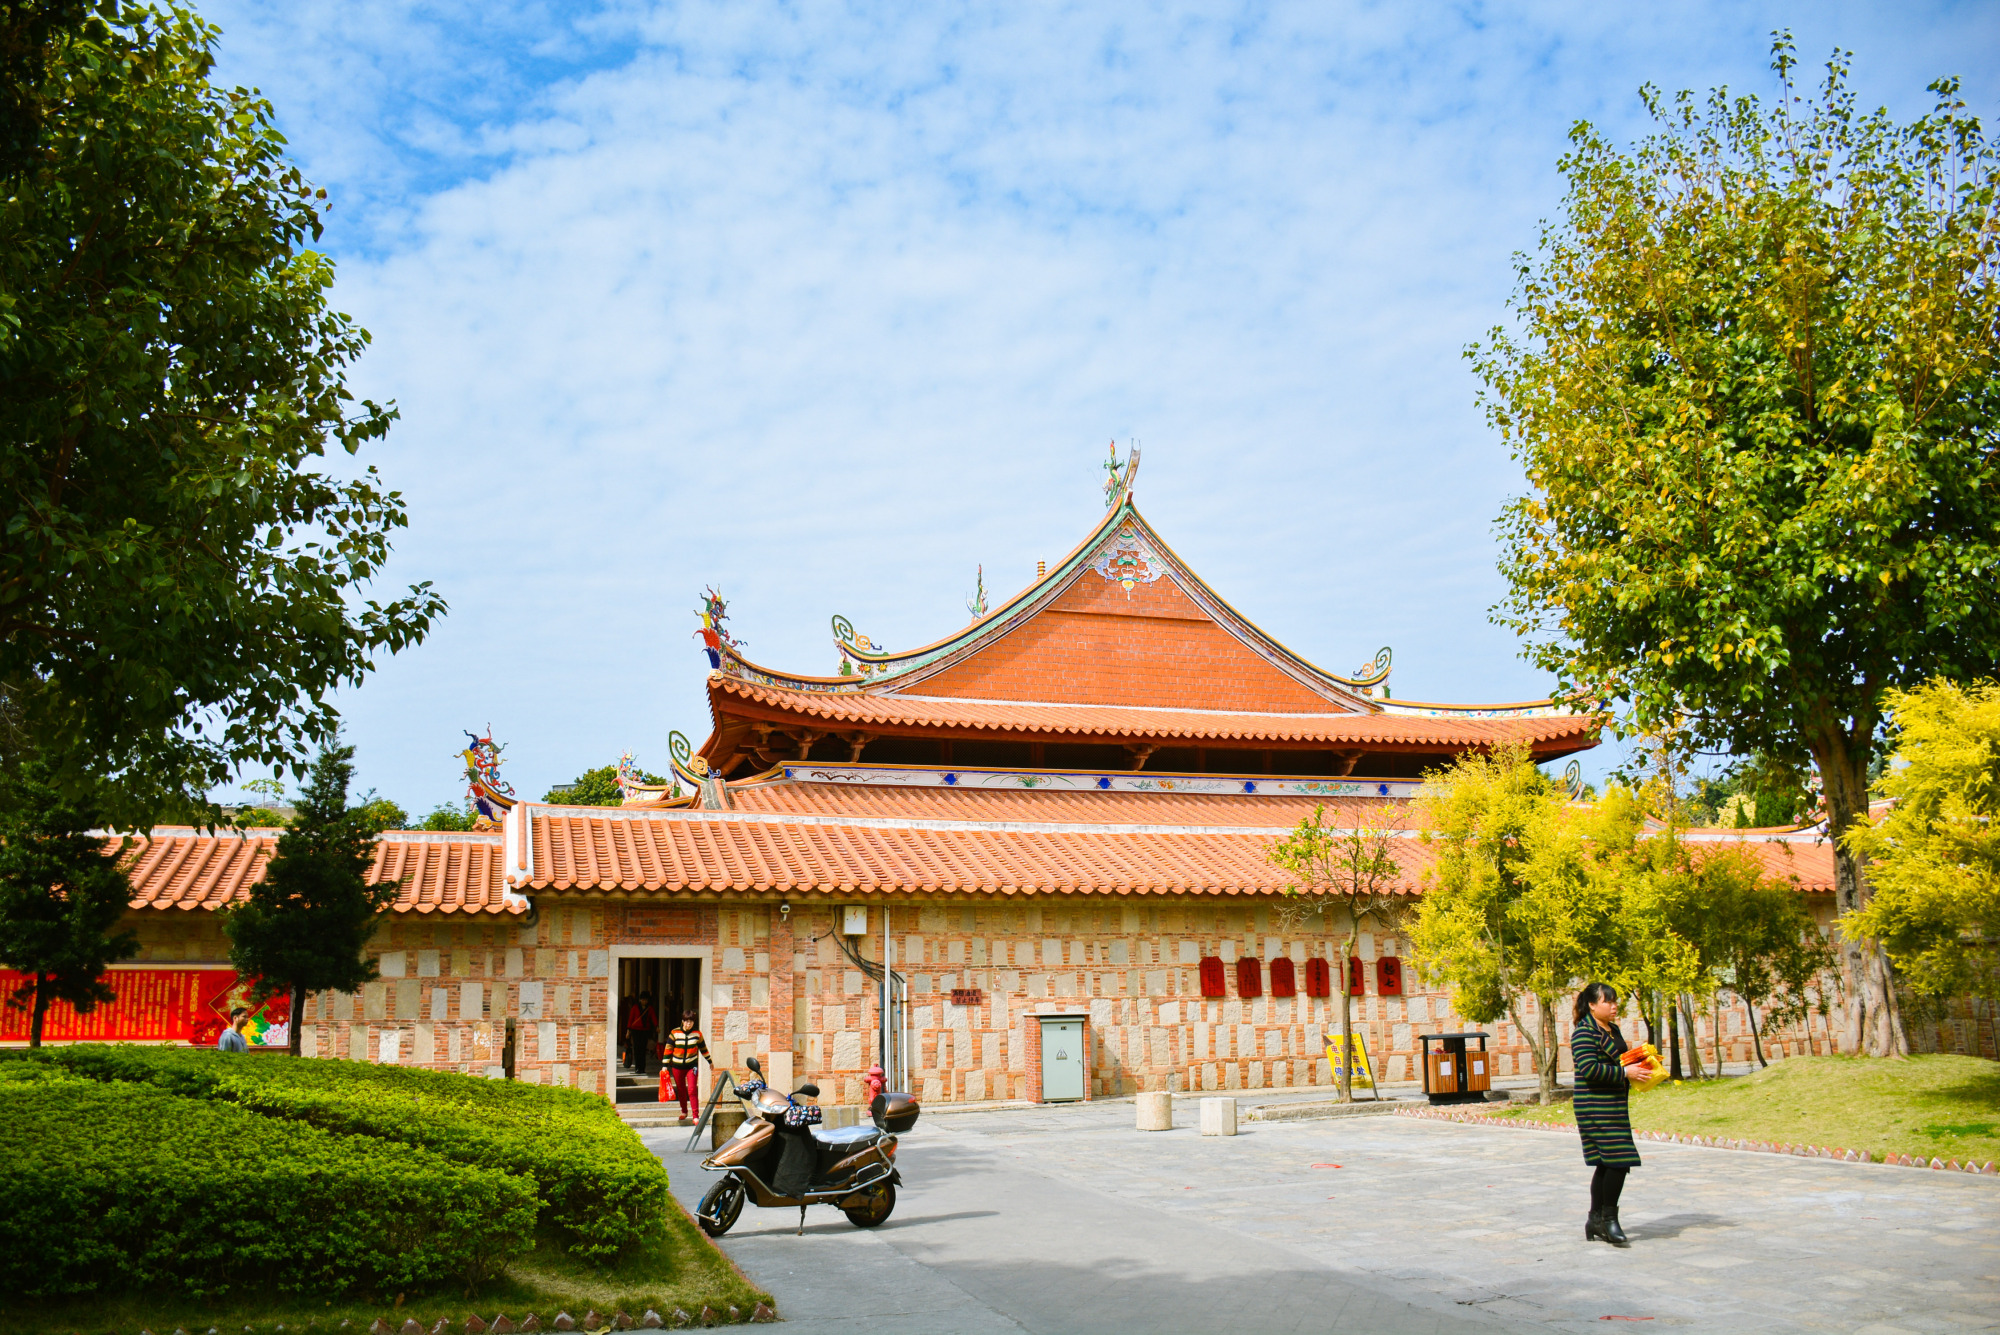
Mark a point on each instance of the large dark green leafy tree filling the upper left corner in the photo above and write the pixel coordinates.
(179, 577)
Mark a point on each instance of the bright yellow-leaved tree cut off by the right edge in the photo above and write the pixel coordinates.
(1937, 850)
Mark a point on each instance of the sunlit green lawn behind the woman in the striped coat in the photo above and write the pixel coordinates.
(1941, 1108)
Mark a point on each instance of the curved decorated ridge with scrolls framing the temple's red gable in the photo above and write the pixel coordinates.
(883, 668)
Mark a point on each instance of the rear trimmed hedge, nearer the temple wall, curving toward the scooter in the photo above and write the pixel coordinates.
(599, 1186)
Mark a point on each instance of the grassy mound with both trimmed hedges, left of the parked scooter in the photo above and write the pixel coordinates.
(169, 1186)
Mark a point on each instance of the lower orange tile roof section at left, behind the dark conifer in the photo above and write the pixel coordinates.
(441, 872)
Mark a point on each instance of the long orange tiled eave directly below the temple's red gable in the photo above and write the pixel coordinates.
(1553, 732)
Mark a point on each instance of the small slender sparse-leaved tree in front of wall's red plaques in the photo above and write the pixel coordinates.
(1349, 878)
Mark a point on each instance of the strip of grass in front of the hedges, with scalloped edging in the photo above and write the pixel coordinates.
(683, 1272)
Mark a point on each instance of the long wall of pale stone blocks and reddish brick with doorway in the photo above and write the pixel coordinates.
(777, 984)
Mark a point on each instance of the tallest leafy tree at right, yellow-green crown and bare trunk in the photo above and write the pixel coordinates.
(1753, 389)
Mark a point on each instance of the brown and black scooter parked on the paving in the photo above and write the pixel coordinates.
(849, 1168)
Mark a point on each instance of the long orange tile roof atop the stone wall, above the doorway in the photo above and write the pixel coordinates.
(577, 850)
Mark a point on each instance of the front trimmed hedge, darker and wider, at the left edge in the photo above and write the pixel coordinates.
(129, 1186)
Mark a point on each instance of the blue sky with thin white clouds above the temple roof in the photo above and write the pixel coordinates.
(831, 305)
